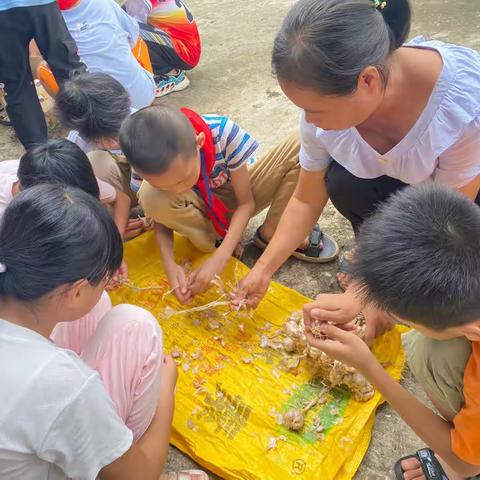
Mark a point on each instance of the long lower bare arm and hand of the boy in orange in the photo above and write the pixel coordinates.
(430, 427)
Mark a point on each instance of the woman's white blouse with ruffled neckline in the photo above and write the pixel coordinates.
(443, 145)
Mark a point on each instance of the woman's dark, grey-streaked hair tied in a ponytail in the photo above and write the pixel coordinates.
(325, 44)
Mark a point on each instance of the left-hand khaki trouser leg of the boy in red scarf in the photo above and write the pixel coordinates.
(183, 213)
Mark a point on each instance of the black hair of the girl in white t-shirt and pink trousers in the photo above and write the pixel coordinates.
(51, 235)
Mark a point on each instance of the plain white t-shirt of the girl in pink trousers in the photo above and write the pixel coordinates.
(57, 420)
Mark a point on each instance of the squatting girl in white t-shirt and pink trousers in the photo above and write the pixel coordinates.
(107, 411)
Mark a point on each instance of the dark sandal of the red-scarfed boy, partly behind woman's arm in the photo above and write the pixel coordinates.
(321, 248)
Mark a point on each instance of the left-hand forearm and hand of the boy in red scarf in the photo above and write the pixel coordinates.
(175, 273)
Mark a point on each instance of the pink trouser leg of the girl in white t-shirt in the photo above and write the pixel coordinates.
(126, 350)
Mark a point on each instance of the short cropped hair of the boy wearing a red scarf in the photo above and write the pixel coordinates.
(155, 136)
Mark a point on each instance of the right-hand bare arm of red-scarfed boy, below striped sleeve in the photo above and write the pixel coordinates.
(200, 279)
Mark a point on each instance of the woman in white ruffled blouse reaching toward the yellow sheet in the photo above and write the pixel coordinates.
(378, 115)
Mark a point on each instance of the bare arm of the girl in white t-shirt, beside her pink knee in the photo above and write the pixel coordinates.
(147, 457)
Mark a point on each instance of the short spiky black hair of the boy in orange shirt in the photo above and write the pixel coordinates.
(418, 257)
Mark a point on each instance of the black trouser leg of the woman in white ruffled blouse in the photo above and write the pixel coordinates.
(357, 198)
